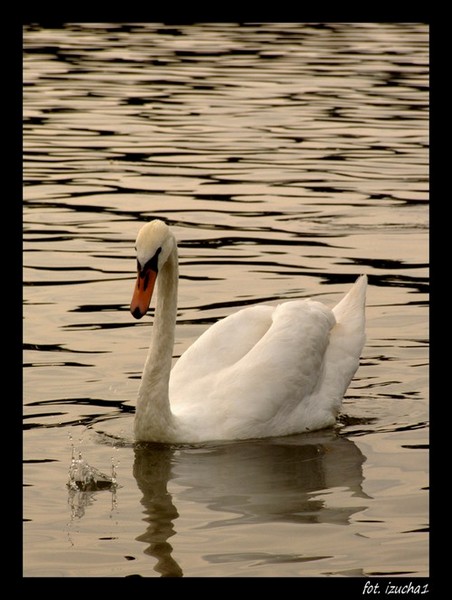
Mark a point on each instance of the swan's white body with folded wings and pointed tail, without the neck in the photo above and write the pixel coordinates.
(267, 371)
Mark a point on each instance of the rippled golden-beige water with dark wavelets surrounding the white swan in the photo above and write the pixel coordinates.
(288, 159)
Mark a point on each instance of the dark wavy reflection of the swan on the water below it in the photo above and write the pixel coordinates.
(260, 481)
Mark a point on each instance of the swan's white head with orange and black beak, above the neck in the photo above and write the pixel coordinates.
(154, 244)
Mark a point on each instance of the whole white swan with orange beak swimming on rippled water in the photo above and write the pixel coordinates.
(263, 371)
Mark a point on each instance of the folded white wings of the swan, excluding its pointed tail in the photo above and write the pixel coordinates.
(255, 387)
